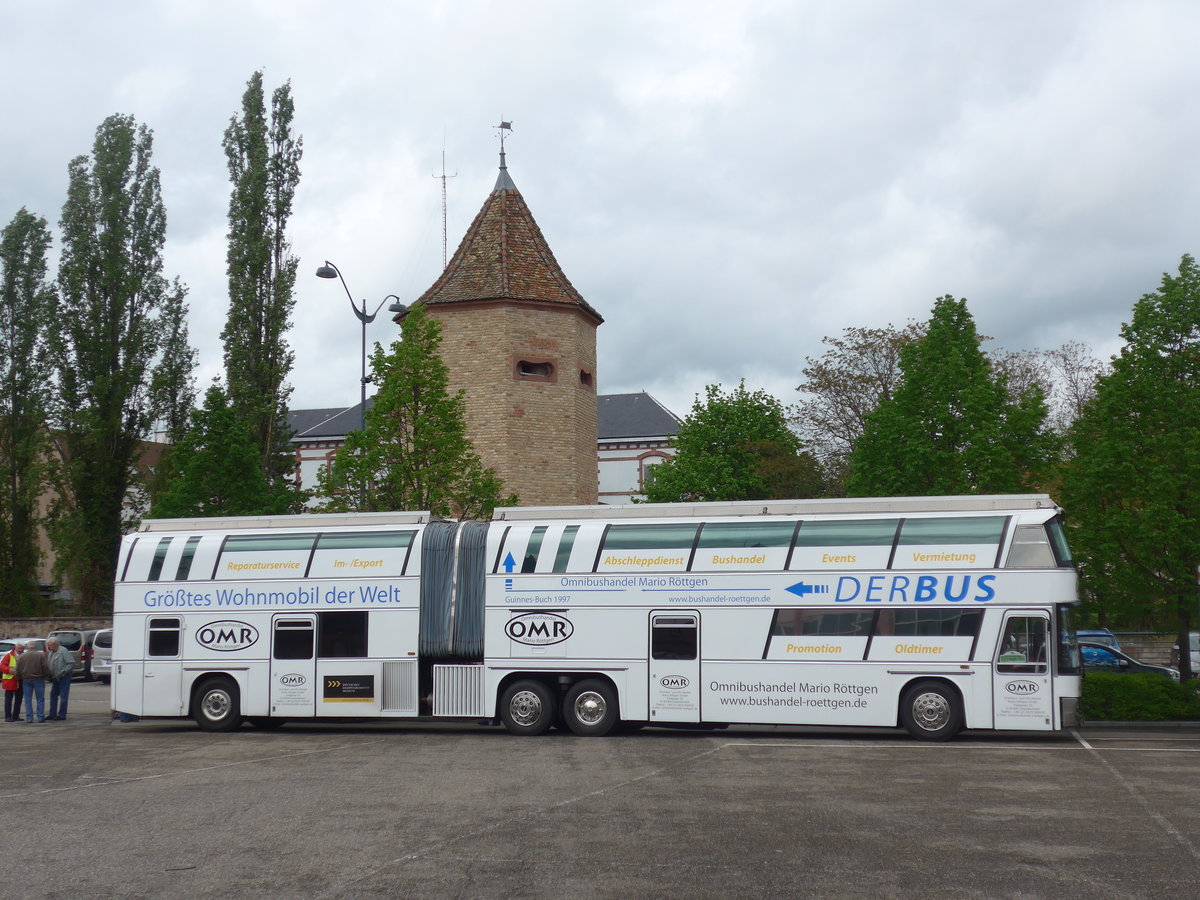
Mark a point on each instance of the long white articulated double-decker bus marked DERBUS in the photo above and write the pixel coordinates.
(934, 614)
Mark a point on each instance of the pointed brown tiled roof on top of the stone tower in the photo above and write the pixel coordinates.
(505, 257)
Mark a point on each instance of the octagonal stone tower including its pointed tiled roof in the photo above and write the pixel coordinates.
(523, 343)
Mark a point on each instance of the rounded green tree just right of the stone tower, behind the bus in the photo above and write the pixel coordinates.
(735, 447)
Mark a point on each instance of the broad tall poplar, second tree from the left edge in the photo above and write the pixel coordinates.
(119, 349)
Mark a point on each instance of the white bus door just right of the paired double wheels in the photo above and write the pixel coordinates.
(675, 667)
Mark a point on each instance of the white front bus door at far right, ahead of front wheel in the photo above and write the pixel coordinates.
(1022, 685)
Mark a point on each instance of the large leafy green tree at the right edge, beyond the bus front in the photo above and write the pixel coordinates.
(1132, 488)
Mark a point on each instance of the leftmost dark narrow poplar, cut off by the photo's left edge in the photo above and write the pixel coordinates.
(25, 397)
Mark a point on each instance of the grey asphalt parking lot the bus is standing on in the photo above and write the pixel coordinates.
(159, 809)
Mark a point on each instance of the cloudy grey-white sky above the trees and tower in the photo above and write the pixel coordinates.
(727, 183)
